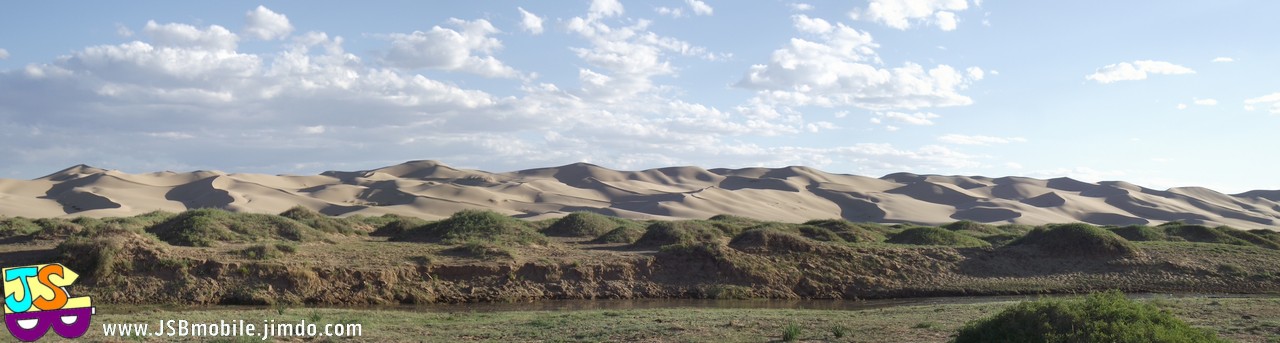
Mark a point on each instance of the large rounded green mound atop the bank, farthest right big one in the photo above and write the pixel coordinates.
(1077, 241)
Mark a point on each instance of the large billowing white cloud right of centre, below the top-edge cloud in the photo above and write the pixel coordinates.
(840, 70)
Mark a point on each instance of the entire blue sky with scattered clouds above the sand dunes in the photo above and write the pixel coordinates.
(1149, 93)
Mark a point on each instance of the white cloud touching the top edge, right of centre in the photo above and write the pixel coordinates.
(903, 15)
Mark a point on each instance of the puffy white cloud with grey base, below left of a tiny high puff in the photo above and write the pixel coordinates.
(467, 49)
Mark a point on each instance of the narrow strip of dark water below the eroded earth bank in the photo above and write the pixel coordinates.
(621, 305)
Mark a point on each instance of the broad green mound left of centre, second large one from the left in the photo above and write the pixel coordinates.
(479, 226)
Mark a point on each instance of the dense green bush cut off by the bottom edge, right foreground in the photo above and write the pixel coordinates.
(1099, 318)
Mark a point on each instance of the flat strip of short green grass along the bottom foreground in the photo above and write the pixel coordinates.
(1235, 319)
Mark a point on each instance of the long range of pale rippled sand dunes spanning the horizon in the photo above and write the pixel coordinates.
(796, 194)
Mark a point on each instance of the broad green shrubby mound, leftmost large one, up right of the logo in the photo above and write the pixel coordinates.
(208, 227)
